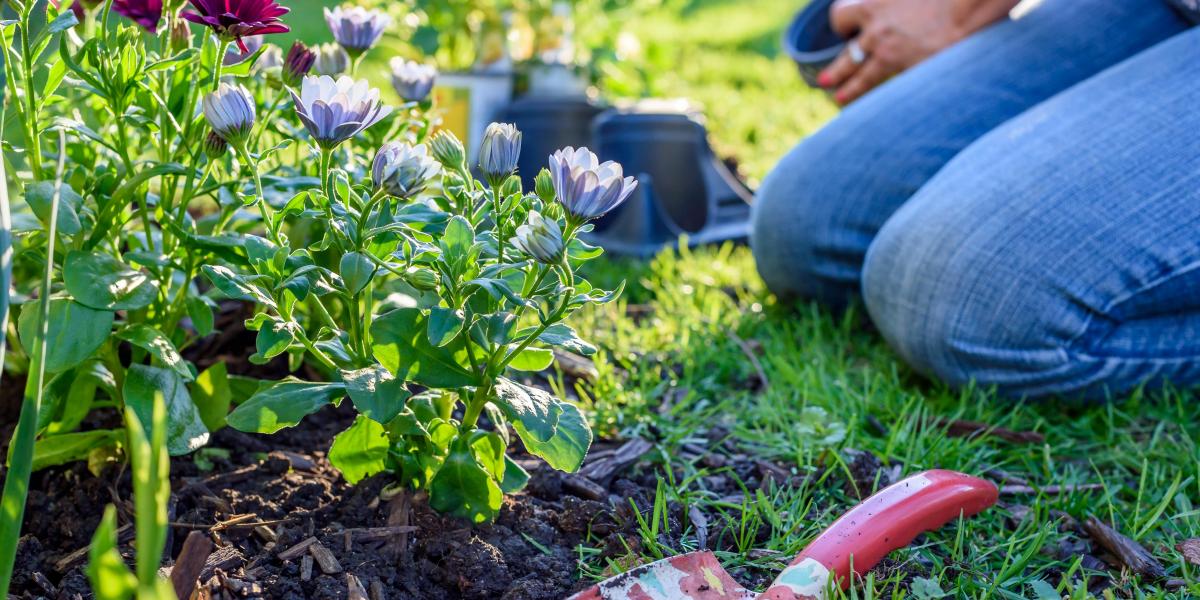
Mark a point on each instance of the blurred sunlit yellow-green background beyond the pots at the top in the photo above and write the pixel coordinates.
(724, 56)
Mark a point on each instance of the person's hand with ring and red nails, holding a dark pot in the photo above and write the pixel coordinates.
(892, 37)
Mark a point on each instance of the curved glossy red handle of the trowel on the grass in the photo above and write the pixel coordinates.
(887, 521)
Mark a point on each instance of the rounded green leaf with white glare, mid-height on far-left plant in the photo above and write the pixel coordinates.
(104, 283)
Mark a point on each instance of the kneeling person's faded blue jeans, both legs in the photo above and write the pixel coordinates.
(1022, 211)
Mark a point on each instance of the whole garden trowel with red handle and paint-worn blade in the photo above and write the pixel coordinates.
(853, 545)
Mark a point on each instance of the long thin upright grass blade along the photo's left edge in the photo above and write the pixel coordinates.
(16, 485)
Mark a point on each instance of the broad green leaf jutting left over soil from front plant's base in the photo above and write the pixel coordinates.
(284, 405)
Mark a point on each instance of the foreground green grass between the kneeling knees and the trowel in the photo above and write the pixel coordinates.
(827, 376)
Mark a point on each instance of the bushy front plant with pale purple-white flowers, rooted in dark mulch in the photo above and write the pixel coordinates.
(441, 298)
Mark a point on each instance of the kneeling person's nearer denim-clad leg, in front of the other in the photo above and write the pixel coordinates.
(1060, 254)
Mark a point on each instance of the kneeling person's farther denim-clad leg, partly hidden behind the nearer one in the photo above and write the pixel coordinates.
(819, 212)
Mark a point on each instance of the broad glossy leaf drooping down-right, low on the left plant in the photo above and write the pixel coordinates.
(185, 430)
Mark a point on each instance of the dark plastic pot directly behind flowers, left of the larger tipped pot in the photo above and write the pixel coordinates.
(549, 124)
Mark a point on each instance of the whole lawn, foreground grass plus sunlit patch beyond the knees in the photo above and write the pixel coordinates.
(830, 397)
